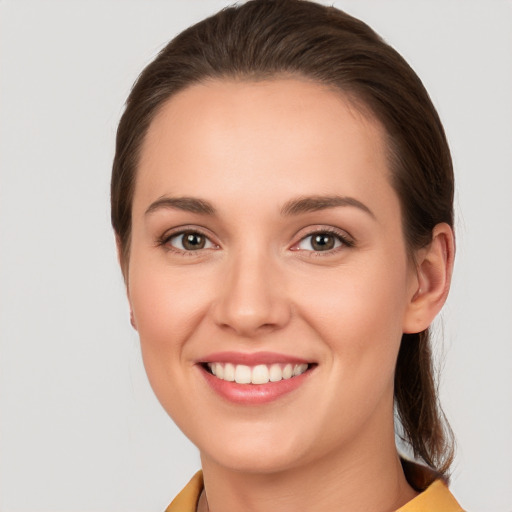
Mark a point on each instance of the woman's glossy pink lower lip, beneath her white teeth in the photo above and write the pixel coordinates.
(253, 394)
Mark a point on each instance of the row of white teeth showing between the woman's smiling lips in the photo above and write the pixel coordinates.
(258, 374)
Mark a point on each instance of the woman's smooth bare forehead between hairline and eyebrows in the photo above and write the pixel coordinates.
(297, 135)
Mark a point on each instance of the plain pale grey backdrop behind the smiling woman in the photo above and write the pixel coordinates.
(80, 430)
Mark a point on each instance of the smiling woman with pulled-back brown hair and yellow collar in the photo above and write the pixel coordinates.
(282, 200)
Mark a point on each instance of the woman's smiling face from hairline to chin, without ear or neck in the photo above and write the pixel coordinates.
(267, 246)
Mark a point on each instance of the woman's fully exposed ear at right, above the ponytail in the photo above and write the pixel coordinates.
(433, 274)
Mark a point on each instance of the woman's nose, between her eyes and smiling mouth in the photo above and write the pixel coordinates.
(252, 298)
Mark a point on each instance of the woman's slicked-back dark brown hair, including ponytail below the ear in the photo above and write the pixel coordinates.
(267, 38)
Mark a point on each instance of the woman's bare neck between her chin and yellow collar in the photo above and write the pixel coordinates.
(359, 479)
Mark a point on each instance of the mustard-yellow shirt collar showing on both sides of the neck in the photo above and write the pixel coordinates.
(435, 498)
